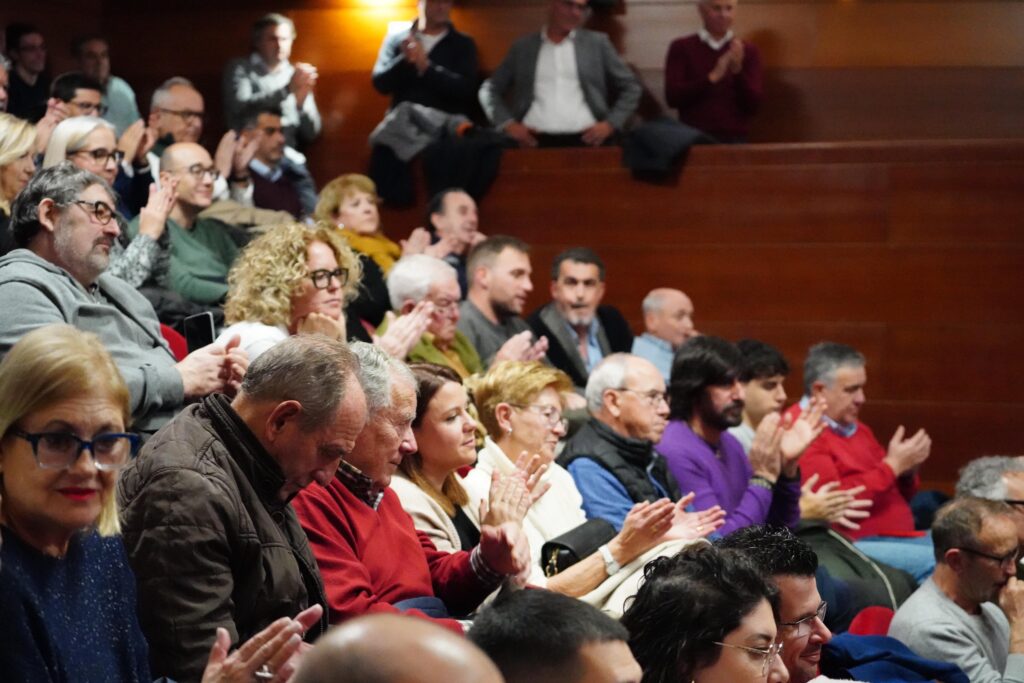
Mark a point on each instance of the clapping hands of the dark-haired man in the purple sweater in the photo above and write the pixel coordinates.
(780, 442)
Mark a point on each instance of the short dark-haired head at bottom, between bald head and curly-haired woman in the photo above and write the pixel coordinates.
(544, 637)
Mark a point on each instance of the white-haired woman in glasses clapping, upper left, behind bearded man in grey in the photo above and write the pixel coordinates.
(90, 144)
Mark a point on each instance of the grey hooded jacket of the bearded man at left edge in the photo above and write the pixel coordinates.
(35, 292)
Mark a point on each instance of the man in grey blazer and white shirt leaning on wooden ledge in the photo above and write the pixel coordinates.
(556, 87)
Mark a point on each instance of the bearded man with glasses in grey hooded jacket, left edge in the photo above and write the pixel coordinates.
(63, 224)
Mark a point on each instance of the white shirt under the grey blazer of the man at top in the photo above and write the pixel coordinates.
(559, 103)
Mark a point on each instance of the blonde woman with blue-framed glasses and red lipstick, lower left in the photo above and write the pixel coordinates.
(67, 594)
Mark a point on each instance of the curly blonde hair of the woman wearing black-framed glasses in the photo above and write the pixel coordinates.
(271, 270)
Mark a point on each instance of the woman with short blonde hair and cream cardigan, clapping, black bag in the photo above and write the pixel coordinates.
(521, 405)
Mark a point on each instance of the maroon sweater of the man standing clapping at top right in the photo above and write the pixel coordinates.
(724, 109)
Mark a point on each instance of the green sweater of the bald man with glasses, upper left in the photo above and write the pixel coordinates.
(200, 260)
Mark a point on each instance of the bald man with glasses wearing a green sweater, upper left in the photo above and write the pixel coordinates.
(192, 255)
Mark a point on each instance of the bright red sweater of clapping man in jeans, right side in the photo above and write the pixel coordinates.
(858, 461)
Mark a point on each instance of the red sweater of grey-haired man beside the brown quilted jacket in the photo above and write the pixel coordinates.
(372, 559)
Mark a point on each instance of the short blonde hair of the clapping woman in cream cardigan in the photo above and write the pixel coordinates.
(516, 382)
